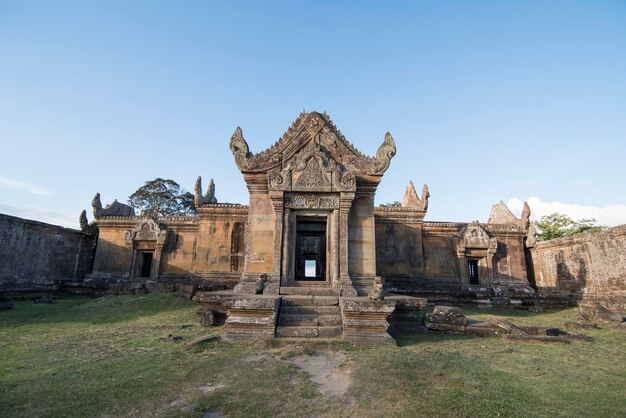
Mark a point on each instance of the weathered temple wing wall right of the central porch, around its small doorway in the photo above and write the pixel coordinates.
(422, 256)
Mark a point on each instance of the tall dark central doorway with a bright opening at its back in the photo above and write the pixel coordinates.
(311, 249)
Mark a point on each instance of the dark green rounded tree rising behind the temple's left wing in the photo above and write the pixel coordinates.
(160, 197)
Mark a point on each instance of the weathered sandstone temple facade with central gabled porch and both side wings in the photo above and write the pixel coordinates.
(311, 222)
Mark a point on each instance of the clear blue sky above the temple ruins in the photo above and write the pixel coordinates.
(487, 101)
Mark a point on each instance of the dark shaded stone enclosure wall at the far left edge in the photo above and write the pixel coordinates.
(35, 254)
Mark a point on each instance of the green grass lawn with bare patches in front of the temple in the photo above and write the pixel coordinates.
(103, 357)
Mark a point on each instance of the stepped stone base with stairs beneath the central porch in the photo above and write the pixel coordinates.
(318, 315)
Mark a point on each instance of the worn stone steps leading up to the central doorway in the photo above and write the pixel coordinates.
(309, 313)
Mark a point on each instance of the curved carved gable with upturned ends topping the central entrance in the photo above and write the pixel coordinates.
(311, 128)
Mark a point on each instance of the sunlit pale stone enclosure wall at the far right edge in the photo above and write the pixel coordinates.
(589, 266)
